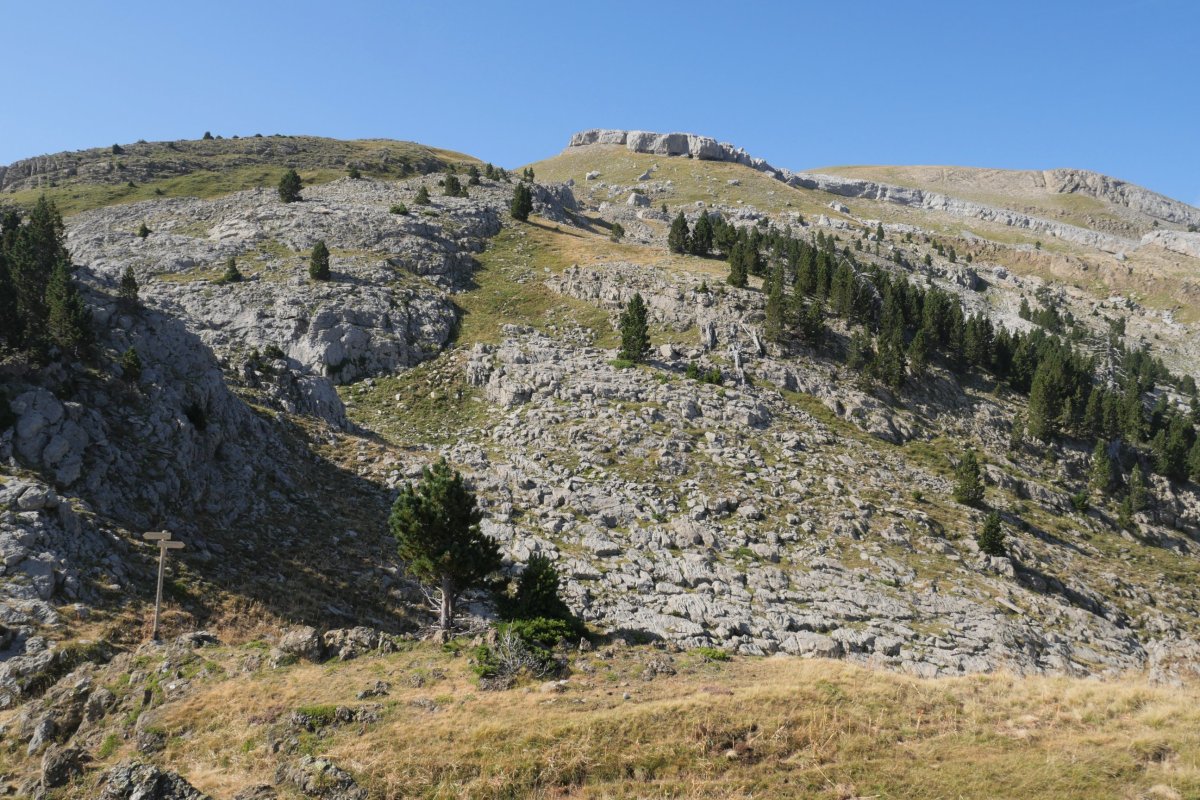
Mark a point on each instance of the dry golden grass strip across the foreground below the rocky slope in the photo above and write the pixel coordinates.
(746, 729)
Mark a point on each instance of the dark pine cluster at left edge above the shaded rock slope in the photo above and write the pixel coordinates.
(41, 309)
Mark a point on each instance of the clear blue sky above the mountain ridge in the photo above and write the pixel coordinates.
(1106, 86)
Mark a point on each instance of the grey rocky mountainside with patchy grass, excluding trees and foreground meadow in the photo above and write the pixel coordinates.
(736, 495)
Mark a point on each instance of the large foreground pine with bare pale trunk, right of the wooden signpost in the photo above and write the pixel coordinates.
(436, 526)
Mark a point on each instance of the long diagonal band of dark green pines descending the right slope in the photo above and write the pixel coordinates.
(898, 328)
